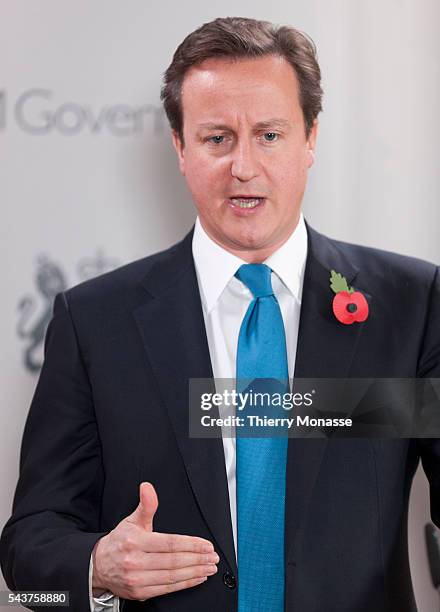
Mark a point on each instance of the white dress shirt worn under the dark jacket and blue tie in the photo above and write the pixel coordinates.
(225, 300)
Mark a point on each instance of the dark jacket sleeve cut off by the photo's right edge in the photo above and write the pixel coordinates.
(429, 367)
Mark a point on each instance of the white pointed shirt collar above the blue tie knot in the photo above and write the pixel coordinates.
(288, 263)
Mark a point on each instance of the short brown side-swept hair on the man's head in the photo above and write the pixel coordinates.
(239, 37)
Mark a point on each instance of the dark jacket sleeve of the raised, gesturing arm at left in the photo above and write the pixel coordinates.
(47, 542)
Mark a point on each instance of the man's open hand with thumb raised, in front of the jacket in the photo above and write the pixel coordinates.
(135, 562)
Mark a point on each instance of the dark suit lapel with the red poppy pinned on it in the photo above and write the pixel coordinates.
(325, 350)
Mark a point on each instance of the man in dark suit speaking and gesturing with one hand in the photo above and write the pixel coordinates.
(111, 407)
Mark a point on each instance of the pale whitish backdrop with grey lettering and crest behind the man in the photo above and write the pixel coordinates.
(89, 179)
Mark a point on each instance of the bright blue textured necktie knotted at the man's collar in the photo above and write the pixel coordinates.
(261, 462)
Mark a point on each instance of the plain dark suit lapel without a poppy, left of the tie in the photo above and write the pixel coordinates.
(173, 332)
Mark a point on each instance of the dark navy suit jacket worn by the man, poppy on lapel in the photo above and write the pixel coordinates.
(111, 410)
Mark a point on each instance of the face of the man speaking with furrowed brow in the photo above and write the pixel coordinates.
(246, 155)
